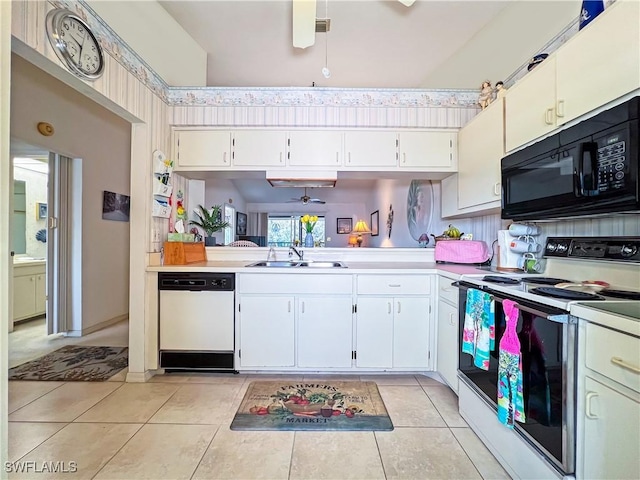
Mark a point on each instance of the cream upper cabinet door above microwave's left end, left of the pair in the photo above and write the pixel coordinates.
(530, 105)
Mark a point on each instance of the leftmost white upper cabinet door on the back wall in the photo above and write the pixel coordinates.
(203, 148)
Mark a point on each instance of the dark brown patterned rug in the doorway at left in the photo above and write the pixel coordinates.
(74, 363)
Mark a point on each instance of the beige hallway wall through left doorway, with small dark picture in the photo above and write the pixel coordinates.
(103, 142)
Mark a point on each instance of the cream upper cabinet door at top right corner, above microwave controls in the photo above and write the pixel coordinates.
(601, 63)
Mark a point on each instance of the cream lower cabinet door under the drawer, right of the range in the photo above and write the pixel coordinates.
(610, 442)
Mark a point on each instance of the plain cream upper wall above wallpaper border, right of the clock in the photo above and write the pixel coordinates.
(154, 35)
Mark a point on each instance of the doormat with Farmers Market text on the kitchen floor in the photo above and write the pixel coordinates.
(312, 405)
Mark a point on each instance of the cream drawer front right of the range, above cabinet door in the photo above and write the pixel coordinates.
(606, 348)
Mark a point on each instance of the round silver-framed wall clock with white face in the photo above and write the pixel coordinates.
(75, 44)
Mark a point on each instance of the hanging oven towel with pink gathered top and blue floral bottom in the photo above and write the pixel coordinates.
(510, 400)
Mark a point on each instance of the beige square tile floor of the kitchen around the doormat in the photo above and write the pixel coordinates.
(177, 426)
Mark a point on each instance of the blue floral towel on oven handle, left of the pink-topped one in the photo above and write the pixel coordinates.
(478, 336)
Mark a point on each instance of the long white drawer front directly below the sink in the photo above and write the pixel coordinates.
(294, 283)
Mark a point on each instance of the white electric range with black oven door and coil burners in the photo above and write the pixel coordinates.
(545, 445)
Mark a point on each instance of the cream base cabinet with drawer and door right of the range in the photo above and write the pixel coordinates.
(608, 437)
